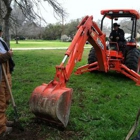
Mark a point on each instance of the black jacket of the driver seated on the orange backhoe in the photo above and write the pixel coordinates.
(117, 33)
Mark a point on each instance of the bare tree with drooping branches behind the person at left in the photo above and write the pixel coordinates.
(27, 7)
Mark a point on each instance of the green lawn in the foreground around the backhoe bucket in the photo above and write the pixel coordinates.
(104, 105)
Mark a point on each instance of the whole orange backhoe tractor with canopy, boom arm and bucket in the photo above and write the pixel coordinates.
(52, 101)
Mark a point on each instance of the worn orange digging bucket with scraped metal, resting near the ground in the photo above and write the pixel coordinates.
(51, 102)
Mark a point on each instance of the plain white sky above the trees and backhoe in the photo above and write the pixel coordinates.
(80, 8)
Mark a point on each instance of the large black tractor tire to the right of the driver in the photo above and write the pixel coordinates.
(132, 60)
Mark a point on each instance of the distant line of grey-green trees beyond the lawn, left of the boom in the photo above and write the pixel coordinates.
(56, 31)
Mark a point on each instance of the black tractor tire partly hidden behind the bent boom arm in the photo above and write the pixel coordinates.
(92, 56)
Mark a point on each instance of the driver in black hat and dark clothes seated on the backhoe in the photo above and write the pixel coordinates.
(118, 35)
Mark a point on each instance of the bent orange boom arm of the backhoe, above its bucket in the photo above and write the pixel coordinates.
(87, 30)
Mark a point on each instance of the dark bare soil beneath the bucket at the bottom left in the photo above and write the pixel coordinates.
(41, 131)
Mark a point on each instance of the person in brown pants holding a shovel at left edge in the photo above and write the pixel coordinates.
(5, 60)
